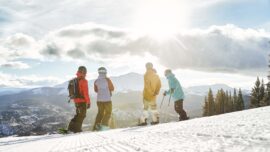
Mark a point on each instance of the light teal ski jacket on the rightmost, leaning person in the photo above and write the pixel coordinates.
(175, 88)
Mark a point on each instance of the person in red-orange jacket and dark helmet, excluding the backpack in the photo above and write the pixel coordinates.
(82, 103)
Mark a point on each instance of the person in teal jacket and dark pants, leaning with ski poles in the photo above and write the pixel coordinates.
(176, 91)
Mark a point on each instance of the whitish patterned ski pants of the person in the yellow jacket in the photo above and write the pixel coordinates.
(152, 105)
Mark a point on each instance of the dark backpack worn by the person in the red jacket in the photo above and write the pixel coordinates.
(74, 89)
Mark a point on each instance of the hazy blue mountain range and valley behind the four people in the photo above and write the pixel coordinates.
(44, 109)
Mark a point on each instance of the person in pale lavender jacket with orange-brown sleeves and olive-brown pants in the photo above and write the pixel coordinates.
(103, 86)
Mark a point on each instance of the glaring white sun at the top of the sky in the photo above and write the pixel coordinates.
(161, 18)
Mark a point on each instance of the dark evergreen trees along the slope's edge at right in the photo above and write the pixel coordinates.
(225, 101)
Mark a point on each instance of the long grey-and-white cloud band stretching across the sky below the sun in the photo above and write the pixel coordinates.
(228, 48)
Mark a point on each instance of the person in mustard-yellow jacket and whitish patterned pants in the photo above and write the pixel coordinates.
(152, 87)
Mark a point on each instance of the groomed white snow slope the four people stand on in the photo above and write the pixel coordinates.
(247, 131)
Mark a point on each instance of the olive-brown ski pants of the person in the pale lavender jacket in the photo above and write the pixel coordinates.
(104, 113)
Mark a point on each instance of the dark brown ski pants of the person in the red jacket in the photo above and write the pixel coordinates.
(75, 124)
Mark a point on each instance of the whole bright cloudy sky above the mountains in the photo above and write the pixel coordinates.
(42, 42)
